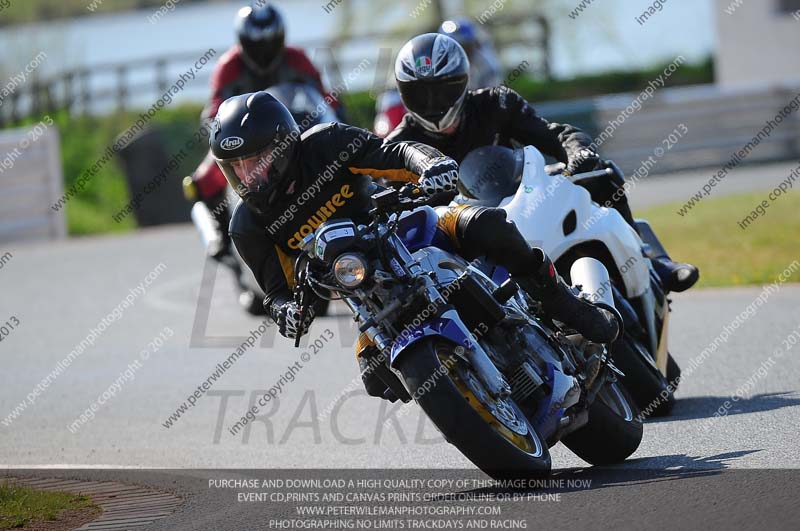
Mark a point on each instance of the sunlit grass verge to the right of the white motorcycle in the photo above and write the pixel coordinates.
(726, 254)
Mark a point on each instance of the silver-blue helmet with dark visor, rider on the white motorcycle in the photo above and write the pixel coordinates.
(432, 72)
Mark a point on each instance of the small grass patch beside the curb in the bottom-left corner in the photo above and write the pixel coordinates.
(21, 506)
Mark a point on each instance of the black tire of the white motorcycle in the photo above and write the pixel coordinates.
(643, 381)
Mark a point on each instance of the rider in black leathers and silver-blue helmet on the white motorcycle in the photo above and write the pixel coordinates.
(432, 72)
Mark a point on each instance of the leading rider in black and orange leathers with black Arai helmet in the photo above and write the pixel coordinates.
(291, 183)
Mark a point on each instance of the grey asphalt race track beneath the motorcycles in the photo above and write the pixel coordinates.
(59, 292)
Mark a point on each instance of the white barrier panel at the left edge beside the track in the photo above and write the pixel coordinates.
(30, 181)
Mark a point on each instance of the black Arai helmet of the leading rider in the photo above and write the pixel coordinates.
(254, 140)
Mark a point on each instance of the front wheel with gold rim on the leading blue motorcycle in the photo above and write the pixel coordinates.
(492, 433)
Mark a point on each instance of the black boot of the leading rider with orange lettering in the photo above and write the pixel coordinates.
(559, 302)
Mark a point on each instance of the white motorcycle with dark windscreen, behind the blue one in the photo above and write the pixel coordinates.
(554, 213)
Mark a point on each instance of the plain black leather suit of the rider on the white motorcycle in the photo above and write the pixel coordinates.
(498, 115)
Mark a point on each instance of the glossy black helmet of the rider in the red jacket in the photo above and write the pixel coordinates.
(262, 35)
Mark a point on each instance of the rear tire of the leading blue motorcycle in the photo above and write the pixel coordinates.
(614, 430)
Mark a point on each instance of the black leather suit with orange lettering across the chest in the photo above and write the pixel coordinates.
(336, 164)
